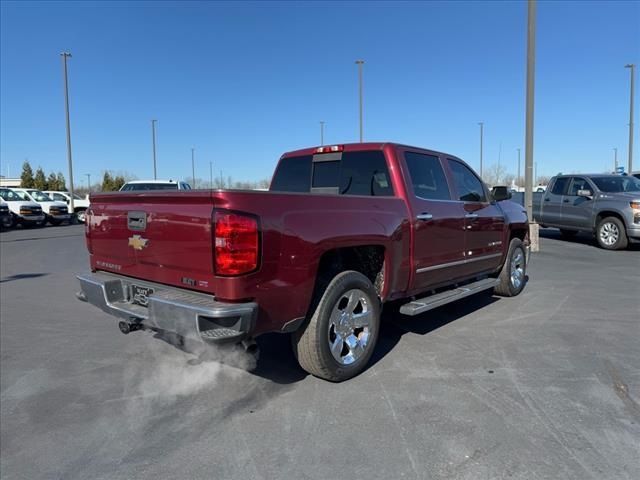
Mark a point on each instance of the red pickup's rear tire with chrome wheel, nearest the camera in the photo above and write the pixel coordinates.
(338, 340)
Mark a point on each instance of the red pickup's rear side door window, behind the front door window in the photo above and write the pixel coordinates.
(427, 176)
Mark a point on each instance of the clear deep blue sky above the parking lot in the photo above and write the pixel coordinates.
(244, 82)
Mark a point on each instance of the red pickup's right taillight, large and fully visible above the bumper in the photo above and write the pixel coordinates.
(236, 244)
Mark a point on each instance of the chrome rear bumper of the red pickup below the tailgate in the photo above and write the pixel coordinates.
(186, 313)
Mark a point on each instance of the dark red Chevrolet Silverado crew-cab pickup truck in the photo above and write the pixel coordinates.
(343, 229)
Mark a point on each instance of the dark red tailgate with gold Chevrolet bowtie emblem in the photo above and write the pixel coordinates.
(154, 236)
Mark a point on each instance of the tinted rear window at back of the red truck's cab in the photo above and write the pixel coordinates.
(356, 173)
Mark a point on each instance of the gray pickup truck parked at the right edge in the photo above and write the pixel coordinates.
(607, 205)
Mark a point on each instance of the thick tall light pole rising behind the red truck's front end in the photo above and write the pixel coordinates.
(528, 152)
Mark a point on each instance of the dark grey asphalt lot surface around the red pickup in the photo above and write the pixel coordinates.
(542, 386)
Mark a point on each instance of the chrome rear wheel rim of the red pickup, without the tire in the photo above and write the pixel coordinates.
(350, 327)
